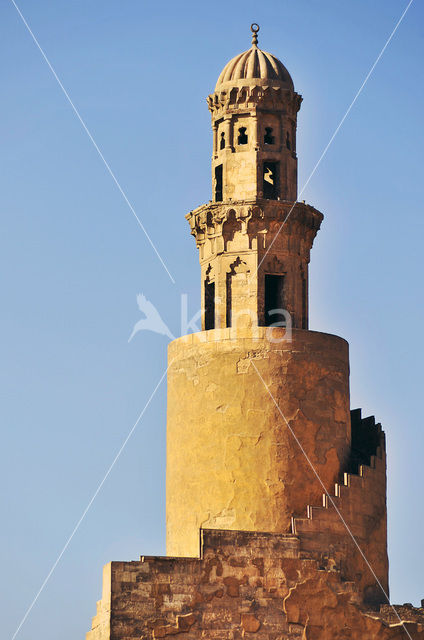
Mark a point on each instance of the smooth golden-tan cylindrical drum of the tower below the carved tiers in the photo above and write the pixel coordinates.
(232, 462)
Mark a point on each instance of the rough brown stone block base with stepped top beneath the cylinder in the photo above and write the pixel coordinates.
(244, 585)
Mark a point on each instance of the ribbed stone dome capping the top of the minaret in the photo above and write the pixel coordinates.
(255, 64)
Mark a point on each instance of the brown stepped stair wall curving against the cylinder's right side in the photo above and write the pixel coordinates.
(349, 529)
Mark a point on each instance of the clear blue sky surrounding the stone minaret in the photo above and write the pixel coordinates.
(73, 259)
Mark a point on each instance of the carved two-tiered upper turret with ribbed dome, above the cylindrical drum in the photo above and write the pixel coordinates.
(254, 239)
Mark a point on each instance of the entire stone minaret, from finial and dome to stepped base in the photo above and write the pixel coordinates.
(276, 491)
